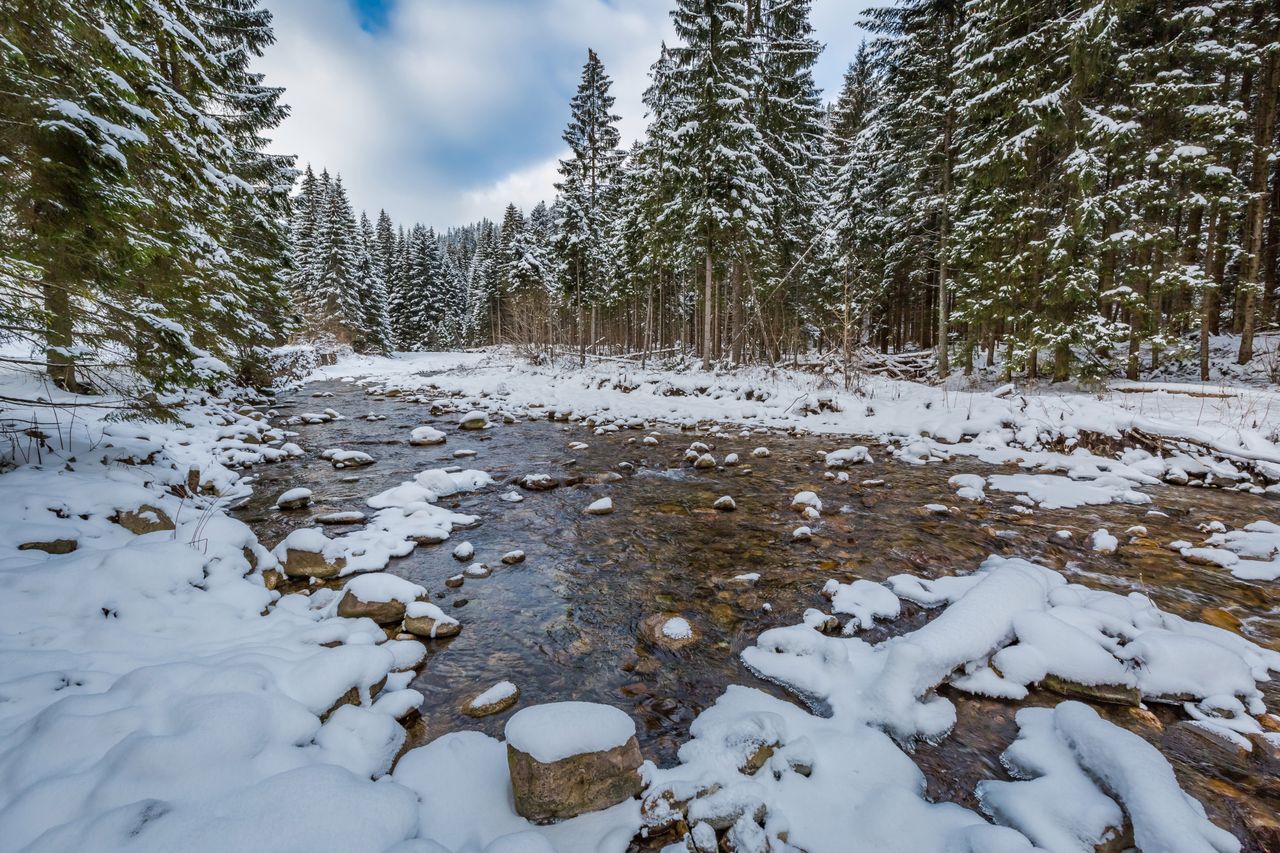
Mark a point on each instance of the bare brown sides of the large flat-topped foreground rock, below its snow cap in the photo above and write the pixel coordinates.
(589, 782)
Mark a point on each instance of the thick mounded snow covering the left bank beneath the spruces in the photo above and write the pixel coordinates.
(158, 696)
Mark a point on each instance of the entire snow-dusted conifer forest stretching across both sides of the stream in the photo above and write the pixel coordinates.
(1062, 189)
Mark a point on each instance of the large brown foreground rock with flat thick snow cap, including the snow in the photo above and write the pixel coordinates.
(568, 759)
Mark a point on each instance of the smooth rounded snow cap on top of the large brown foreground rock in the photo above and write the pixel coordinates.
(559, 731)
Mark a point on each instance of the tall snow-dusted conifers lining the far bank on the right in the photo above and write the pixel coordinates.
(1069, 188)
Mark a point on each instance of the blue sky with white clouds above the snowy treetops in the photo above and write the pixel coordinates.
(445, 111)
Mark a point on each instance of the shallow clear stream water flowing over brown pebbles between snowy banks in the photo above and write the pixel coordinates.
(568, 623)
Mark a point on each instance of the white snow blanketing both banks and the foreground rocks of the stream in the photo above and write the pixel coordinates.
(157, 695)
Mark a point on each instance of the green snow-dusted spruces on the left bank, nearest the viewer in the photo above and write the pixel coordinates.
(141, 225)
